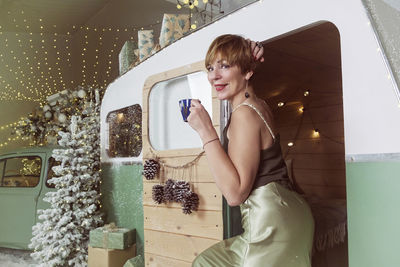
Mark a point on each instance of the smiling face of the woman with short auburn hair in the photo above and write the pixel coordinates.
(227, 80)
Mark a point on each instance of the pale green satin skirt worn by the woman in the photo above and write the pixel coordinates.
(278, 232)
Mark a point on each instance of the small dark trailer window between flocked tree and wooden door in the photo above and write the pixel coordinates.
(124, 132)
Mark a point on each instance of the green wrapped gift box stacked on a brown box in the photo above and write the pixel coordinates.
(112, 237)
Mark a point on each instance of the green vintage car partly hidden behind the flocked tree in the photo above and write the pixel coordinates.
(23, 184)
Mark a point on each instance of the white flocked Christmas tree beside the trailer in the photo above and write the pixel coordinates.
(61, 236)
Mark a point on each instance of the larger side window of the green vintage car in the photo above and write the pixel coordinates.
(21, 171)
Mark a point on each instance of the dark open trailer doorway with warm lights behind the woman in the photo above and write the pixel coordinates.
(301, 80)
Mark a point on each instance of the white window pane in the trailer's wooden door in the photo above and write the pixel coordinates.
(167, 130)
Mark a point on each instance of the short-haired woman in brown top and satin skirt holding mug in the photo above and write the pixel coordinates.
(250, 171)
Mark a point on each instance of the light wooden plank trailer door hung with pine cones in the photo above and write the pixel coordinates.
(171, 237)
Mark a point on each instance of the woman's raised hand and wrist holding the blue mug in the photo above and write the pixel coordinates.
(200, 121)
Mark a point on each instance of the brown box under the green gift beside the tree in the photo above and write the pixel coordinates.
(102, 257)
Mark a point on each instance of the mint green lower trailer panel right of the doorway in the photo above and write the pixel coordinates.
(373, 203)
